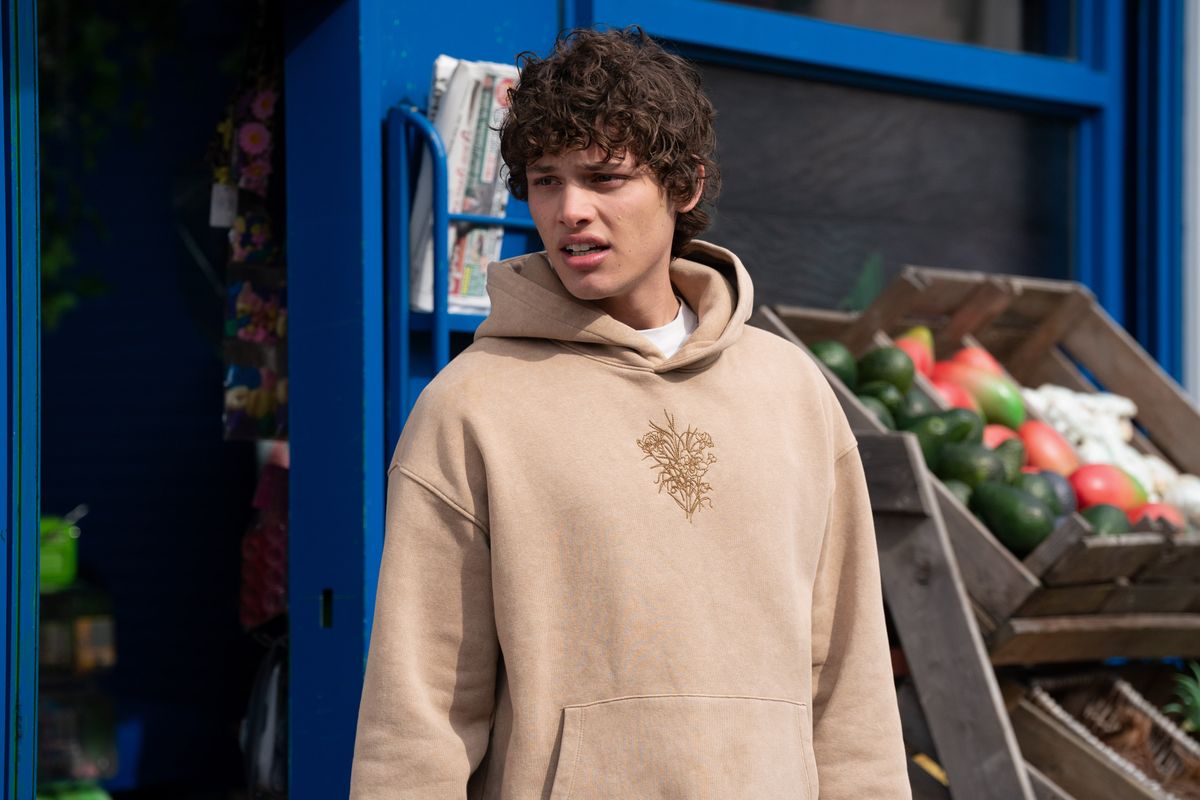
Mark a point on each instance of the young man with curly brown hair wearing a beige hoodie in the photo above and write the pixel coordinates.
(629, 549)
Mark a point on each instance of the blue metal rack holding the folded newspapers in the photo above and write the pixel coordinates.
(411, 366)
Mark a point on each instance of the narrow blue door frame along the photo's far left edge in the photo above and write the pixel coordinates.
(20, 336)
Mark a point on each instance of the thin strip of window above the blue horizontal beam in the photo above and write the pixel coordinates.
(1042, 27)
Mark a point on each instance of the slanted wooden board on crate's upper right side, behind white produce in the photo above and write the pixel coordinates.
(1121, 365)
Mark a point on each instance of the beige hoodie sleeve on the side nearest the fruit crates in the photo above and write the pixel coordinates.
(856, 723)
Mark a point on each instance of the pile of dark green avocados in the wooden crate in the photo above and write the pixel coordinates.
(1019, 507)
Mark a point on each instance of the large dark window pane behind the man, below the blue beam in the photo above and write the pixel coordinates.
(827, 188)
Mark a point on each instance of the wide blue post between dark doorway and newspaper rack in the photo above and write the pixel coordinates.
(337, 372)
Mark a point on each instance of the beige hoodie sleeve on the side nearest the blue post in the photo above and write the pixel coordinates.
(425, 717)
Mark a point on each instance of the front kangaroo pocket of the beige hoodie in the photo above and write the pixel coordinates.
(686, 748)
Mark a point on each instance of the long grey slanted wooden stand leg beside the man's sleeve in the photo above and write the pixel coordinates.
(928, 601)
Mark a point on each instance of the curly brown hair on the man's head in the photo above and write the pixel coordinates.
(621, 91)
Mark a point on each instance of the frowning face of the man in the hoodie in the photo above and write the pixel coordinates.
(608, 228)
